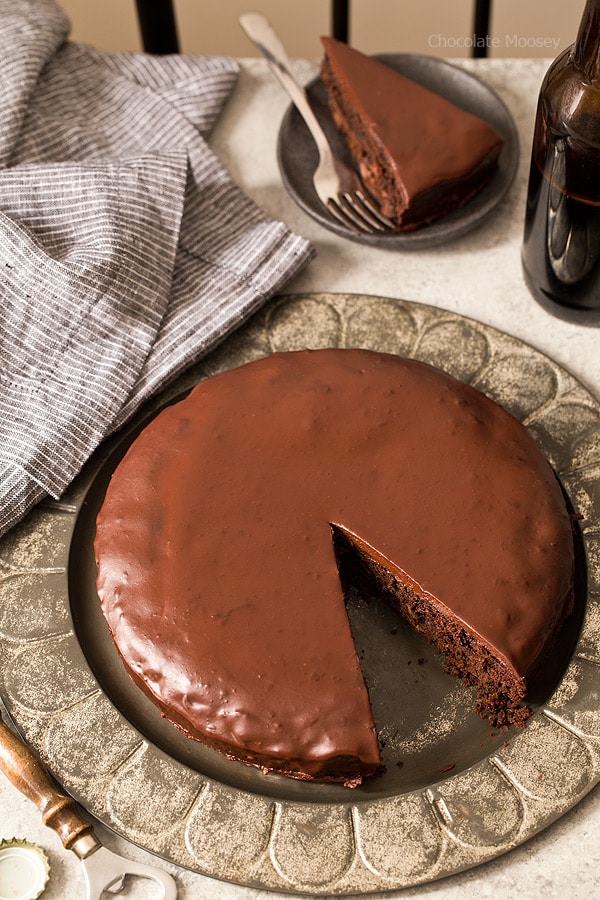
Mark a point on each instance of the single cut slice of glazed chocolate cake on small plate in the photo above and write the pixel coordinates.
(419, 155)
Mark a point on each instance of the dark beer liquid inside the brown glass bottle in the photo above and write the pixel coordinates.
(561, 246)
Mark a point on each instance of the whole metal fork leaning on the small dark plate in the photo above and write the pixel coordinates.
(338, 187)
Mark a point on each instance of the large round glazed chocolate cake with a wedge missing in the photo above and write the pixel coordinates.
(222, 529)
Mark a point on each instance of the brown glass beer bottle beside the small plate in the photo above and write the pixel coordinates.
(561, 245)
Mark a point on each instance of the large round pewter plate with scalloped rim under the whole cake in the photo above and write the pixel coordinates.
(454, 794)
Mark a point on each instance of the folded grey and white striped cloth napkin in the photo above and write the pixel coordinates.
(126, 250)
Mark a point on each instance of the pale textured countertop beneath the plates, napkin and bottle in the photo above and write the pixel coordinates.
(479, 276)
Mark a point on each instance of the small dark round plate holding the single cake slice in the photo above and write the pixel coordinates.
(297, 153)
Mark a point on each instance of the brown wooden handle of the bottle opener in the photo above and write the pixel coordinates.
(23, 767)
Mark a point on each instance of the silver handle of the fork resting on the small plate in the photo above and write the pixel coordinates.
(263, 36)
